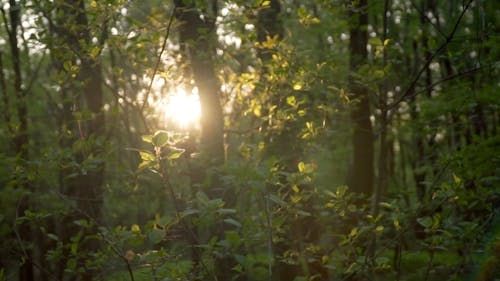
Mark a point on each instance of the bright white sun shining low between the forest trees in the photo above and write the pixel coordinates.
(183, 109)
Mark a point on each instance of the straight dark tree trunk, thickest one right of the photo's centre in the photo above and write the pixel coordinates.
(362, 170)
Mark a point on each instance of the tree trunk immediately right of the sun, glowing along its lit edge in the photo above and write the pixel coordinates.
(197, 40)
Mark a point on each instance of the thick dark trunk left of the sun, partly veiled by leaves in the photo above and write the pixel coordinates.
(84, 188)
